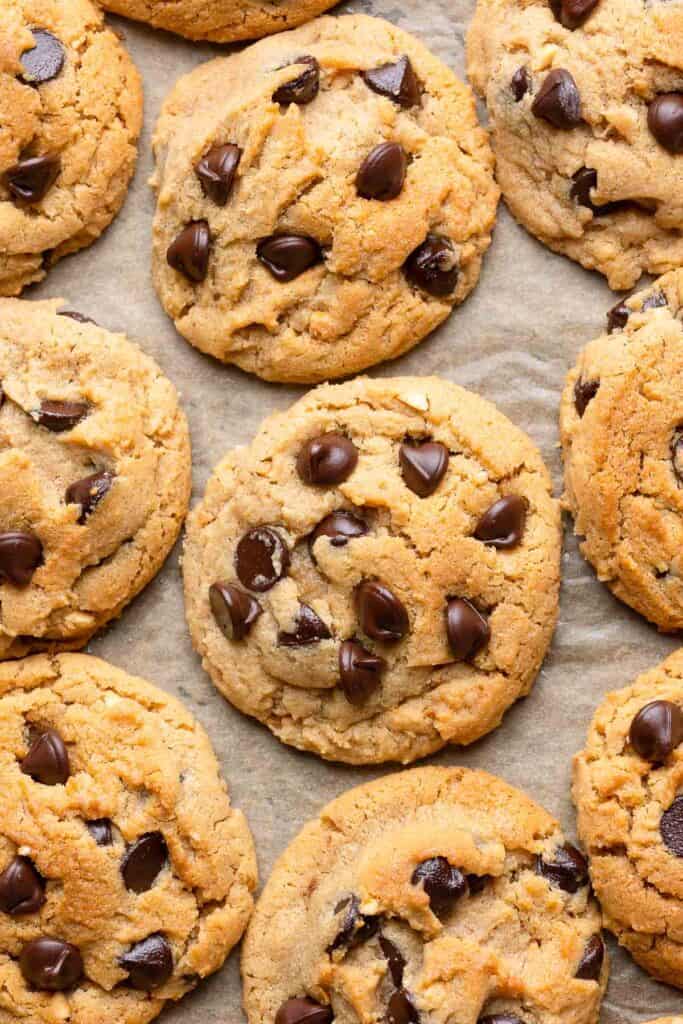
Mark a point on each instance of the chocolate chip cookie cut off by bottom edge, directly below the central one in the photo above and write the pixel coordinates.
(432, 895)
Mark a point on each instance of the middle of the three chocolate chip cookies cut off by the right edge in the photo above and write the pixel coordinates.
(621, 424)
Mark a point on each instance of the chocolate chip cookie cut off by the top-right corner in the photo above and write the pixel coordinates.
(586, 102)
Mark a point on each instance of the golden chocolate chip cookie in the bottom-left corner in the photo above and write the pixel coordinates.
(125, 875)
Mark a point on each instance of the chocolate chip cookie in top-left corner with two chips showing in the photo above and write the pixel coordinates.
(71, 111)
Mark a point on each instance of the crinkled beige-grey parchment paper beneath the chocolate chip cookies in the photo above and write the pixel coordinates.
(513, 342)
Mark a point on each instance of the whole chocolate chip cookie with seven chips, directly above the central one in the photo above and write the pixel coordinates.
(325, 199)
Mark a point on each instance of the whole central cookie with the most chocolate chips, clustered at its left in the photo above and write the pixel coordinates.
(377, 575)
